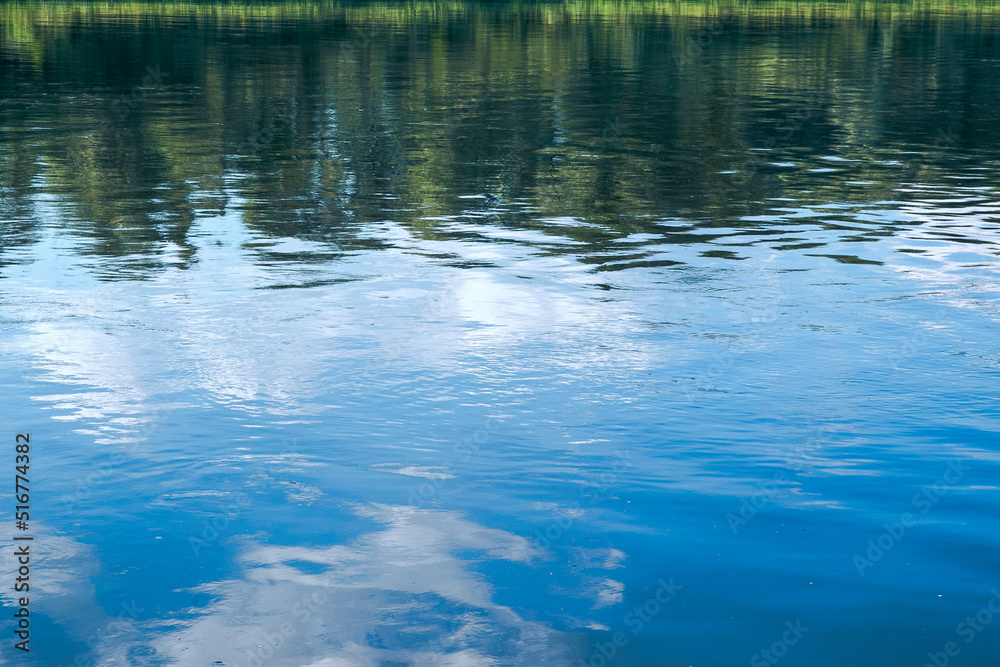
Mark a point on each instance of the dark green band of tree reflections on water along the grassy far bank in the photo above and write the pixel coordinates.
(319, 118)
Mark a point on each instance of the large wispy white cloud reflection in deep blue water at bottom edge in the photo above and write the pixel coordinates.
(406, 594)
